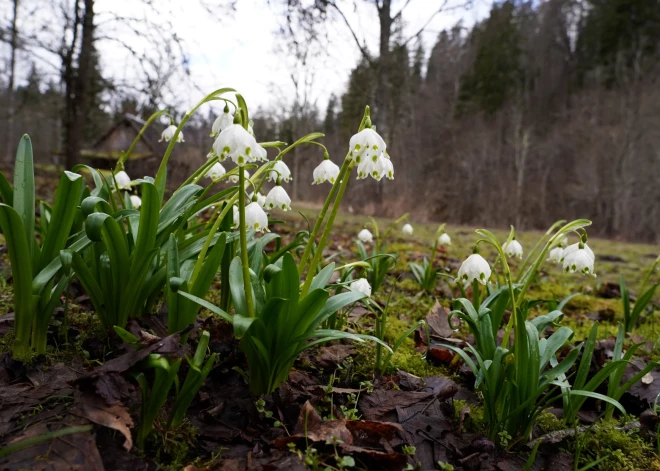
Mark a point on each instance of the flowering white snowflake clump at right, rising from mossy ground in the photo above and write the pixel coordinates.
(522, 374)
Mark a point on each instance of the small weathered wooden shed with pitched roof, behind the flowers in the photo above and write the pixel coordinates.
(146, 155)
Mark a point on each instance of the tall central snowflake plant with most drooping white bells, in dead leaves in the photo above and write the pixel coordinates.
(276, 316)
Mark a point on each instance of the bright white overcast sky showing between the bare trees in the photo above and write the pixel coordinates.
(242, 49)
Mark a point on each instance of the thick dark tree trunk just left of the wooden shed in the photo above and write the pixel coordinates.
(76, 79)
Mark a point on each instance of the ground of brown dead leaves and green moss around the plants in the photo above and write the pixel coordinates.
(428, 403)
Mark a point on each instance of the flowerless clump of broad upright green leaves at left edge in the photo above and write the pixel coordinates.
(34, 265)
